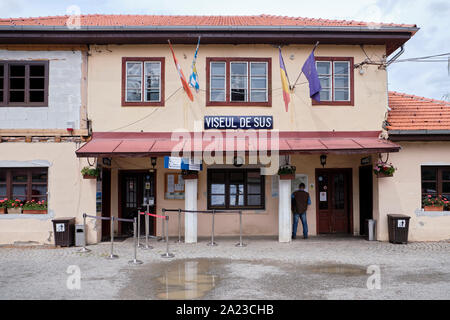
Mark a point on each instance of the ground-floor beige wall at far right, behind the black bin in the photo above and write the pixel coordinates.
(401, 194)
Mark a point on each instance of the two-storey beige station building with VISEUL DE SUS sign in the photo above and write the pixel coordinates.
(129, 111)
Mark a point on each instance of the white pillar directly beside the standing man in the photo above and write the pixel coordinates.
(284, 211)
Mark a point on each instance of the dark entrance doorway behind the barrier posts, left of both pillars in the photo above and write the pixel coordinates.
(137, 189)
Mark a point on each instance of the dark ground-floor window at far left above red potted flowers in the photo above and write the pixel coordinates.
(25, 184)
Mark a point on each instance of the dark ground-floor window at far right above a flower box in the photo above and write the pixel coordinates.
(436, 181)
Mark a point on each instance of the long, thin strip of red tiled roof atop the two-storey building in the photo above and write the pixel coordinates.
(172, 20)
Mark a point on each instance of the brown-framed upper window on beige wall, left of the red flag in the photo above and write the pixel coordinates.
(143, 81)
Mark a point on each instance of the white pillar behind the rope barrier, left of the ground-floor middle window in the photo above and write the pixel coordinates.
(190, 203)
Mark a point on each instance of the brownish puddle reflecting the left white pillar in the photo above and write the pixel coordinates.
(186, 280)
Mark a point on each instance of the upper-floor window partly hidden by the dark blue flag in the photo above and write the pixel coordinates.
(336, 79)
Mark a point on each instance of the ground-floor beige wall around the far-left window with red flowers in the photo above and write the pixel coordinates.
(69, 195)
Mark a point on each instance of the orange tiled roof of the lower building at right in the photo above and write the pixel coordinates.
(409, 112)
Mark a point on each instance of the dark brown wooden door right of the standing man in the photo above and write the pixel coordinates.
(334, 201)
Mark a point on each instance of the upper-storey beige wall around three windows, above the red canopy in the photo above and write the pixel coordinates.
(105, 74)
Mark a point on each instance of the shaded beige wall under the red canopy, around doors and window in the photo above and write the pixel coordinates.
(256, 222)
